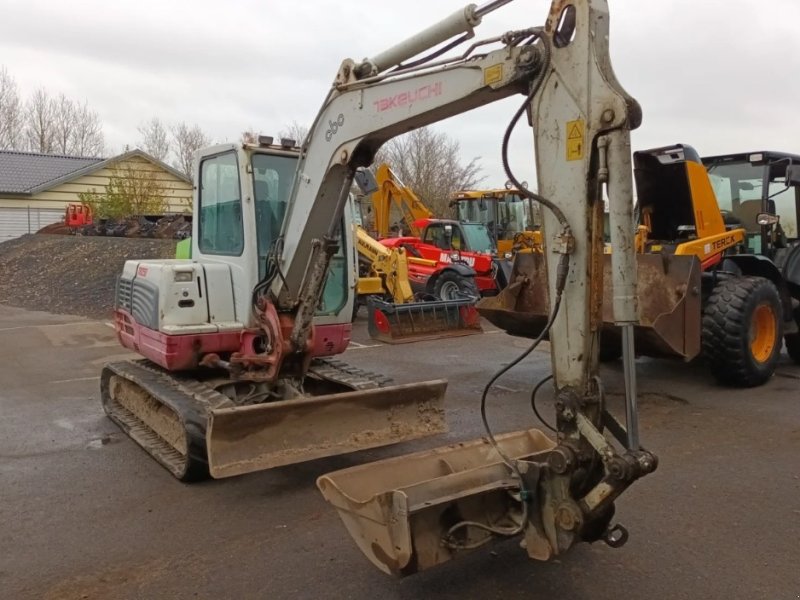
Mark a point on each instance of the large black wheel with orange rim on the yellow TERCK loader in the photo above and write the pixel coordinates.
(742, 330)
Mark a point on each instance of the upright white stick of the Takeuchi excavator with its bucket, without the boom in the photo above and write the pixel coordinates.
(414, 512)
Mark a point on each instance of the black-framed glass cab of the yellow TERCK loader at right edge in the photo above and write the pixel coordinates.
(751, 184)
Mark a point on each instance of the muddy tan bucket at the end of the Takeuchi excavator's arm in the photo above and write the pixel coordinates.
(399, 510)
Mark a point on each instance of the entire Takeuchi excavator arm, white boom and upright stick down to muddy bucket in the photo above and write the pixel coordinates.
(414, 512)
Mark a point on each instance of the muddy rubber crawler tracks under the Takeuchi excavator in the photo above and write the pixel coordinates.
(190, 400)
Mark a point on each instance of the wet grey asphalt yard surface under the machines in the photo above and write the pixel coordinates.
(84, 513)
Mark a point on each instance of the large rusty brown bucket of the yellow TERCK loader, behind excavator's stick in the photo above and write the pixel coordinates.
(668, 290)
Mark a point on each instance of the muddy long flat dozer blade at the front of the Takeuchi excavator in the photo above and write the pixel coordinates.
(252, 438)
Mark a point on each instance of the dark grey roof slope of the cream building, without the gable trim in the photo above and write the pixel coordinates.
(22, 172)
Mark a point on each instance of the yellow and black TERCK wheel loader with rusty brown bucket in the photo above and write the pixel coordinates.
(730, 270)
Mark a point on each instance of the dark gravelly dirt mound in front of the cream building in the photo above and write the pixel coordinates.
(70, 274)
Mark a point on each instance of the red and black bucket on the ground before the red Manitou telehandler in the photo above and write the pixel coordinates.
(416, 321)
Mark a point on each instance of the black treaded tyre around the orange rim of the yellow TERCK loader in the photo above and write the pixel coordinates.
(725, 331)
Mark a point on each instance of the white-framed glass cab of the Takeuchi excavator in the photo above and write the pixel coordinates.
(241, 197)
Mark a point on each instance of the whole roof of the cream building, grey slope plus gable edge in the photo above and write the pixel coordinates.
(29, 173)
